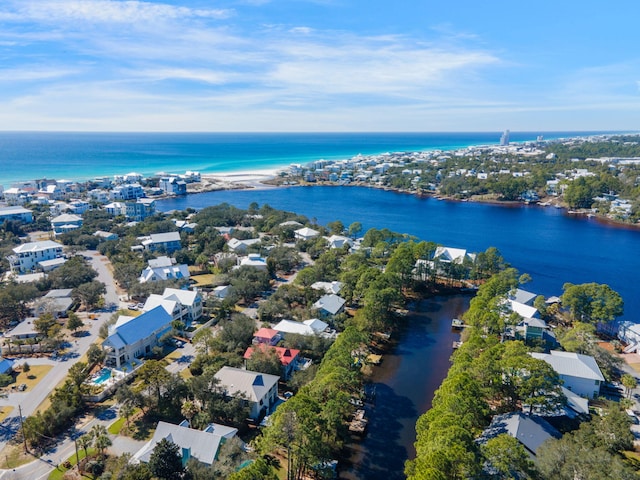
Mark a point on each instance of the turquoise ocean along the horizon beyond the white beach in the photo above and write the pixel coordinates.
(83, 156)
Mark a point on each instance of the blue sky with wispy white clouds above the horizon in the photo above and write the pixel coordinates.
(319, 65)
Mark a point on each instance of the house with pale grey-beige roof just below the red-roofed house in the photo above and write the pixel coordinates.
(259, 390)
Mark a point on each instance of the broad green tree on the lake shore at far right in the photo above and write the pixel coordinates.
(592, 302)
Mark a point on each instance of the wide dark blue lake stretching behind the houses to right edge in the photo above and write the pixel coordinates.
(547, 243)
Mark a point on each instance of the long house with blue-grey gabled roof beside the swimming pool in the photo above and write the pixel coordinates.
(136, 337)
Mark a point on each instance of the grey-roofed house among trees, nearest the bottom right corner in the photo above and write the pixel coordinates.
(530, 430)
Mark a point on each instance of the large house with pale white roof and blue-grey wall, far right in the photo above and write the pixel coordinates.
(580, 373)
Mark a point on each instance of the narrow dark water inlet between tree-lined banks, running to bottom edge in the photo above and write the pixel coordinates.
(404, 385)
